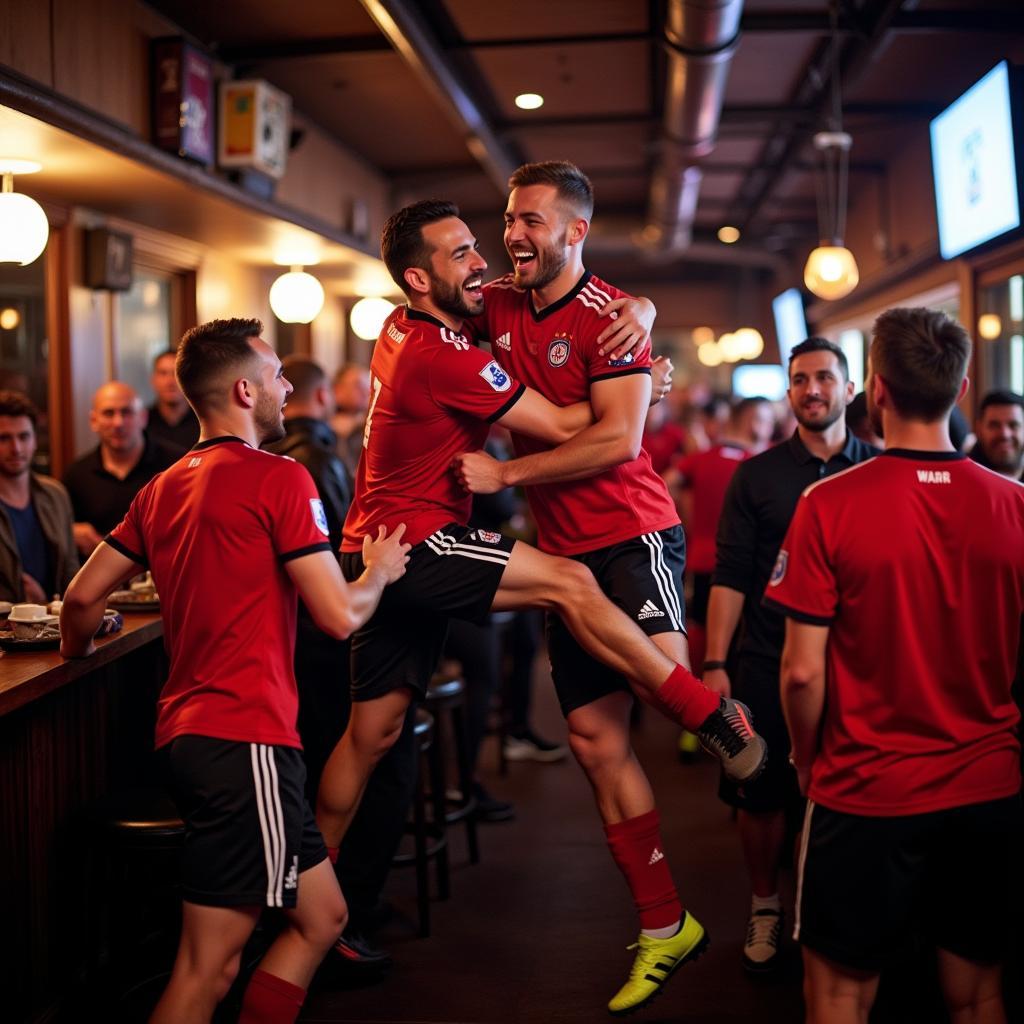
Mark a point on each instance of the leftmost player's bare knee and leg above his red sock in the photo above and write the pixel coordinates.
(318, 920)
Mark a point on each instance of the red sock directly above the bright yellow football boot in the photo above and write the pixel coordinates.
(637, 848)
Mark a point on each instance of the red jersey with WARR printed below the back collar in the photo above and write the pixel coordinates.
(916, 562)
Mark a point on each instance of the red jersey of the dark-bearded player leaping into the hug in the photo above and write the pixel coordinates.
(433, 396)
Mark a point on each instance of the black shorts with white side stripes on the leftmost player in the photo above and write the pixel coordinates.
(249, 831)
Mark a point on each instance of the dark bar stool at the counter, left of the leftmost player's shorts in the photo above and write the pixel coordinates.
(138, 838)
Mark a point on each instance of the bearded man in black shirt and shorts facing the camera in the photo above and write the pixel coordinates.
(758, 508)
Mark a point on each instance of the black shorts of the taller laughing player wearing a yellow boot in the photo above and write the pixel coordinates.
(643, 576)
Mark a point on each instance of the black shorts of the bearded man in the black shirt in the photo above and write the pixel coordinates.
(756, 682)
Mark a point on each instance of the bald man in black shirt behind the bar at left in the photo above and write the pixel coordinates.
(104, 482)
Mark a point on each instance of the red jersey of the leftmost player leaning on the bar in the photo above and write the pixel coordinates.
(216, 530)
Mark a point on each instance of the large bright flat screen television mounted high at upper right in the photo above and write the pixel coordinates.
(975, 166)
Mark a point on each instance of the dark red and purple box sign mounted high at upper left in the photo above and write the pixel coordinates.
(183, 100)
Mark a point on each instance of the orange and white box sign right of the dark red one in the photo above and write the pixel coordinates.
(255, 126)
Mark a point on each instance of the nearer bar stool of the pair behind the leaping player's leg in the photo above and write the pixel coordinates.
(430, 838)
